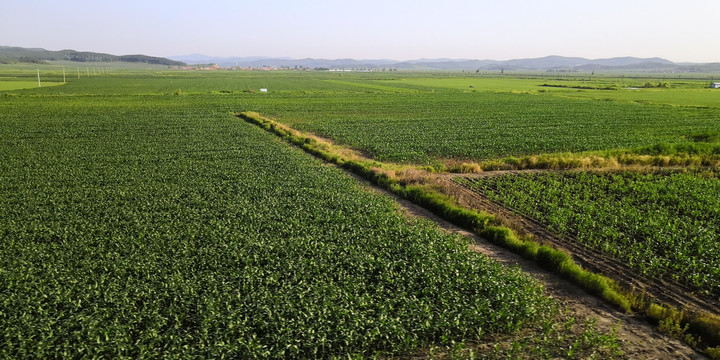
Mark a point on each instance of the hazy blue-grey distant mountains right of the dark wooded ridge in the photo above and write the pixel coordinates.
(548, 63)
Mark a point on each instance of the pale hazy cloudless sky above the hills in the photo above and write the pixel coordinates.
(681, 31)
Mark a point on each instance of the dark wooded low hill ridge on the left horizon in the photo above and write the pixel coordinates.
(9, 54)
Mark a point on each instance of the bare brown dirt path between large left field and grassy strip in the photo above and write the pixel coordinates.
(640, 340)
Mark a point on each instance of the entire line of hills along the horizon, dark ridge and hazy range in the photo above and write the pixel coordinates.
(10, 54)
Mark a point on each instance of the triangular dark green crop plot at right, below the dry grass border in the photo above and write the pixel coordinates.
(663, 224)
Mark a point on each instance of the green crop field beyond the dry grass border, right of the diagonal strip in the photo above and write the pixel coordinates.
(425, 127)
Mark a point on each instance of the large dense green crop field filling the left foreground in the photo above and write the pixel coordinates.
(161, 226)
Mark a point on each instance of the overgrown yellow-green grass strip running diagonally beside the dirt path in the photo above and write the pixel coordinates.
(696, 329)
